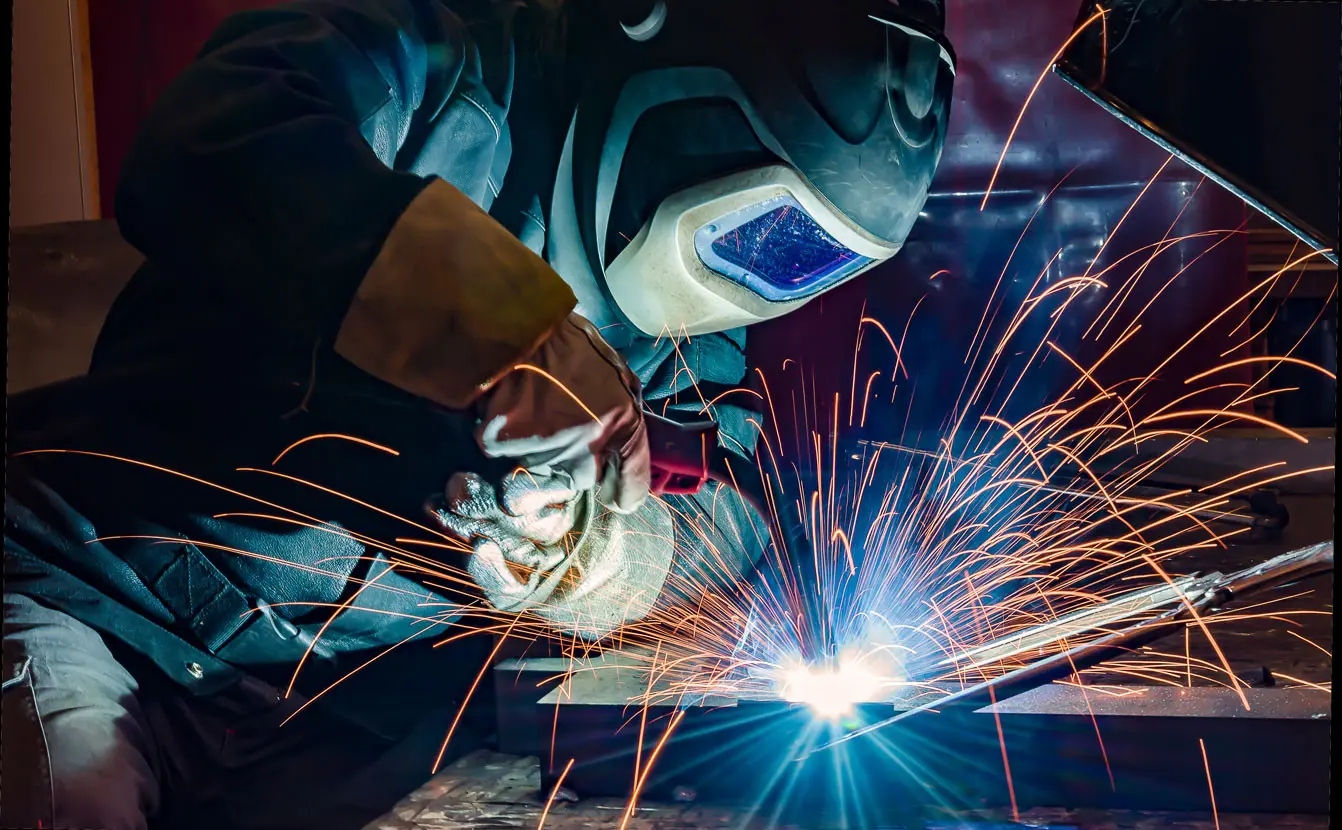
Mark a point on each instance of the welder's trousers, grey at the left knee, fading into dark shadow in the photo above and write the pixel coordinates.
(92, 745)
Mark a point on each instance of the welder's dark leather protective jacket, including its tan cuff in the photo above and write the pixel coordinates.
(289, 191)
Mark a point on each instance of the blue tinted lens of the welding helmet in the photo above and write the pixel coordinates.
(776, 249)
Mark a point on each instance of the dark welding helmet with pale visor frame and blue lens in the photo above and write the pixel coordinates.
(731, 160)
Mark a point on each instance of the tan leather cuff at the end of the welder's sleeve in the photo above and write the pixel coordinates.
(452, 304)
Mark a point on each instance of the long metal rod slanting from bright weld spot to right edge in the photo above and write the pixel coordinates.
(1206, 596)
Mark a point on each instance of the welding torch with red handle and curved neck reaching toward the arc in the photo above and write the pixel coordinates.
(686, 456)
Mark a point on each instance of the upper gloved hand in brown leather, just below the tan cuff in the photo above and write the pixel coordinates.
(584, 420)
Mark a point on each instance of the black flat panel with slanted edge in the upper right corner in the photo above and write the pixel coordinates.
(1245, 92)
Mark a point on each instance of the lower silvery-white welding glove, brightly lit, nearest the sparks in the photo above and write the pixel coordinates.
(546, 546)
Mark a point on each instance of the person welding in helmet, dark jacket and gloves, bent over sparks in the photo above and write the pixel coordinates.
(407, 250)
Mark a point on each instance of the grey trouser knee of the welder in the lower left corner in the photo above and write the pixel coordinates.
(77, 751)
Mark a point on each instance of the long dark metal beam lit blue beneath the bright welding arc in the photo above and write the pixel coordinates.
(1064, 746)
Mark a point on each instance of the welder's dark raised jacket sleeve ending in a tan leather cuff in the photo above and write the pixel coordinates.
(266, 174)
